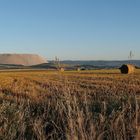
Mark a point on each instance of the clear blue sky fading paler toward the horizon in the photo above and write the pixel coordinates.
(71, 29)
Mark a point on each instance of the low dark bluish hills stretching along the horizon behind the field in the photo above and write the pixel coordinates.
(73, 65)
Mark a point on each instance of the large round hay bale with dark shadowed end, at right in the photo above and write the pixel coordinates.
(127, 69)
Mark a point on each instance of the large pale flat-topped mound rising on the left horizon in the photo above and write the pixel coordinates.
(21, 59)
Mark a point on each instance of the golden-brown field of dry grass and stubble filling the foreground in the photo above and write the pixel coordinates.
(70, 105)
